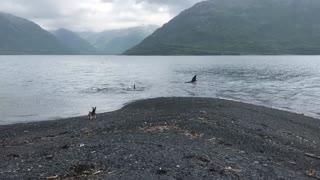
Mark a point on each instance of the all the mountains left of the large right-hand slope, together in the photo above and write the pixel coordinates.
(21, 36)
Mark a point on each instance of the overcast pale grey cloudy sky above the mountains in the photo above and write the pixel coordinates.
(95, 15)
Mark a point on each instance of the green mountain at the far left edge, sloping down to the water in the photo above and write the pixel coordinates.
(21, 36)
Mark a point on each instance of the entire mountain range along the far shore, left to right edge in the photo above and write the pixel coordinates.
(212, 27)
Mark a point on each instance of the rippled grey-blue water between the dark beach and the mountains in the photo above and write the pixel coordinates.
(34, 88)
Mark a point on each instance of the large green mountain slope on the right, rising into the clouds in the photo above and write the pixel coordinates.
(218, 27)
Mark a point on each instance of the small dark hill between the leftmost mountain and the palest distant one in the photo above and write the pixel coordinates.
(74, 42)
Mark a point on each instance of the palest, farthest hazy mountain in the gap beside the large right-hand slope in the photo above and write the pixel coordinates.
(117, 41)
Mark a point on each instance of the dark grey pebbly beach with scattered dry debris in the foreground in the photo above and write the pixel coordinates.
(166, 138)
